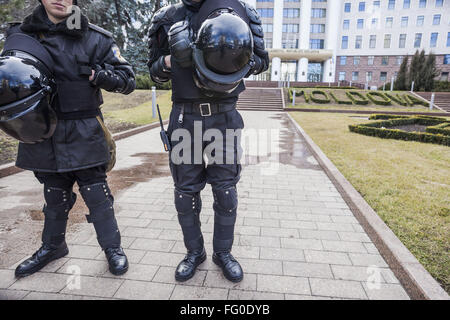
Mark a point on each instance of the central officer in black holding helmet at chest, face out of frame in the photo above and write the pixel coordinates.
(206, 48)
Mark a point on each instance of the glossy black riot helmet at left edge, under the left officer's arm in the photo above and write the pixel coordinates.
(26, 90)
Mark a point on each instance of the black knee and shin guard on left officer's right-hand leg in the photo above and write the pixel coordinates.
(100, 202)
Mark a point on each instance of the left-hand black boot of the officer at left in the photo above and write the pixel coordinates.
(41, 258)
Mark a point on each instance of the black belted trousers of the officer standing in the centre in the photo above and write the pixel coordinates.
(190, 178)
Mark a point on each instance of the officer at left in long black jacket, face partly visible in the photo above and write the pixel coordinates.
(85, 59)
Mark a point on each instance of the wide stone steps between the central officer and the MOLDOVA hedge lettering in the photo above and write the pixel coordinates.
(268, 99)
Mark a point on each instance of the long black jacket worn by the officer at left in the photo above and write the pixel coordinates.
(78, 141)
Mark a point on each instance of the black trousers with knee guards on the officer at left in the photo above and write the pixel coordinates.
(60, 199)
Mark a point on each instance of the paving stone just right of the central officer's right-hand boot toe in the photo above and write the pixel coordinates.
(283, 284)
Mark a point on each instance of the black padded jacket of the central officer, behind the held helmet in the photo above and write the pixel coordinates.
(183, 86)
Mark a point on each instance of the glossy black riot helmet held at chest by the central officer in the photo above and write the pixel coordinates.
(222, 52)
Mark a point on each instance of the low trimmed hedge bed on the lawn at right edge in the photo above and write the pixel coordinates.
(381, 129)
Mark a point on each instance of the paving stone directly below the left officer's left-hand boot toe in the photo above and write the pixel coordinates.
(45, 282)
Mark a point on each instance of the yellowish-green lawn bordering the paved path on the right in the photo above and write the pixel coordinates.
(406, 183)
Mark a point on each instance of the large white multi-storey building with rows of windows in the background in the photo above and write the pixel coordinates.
(352, 40)
